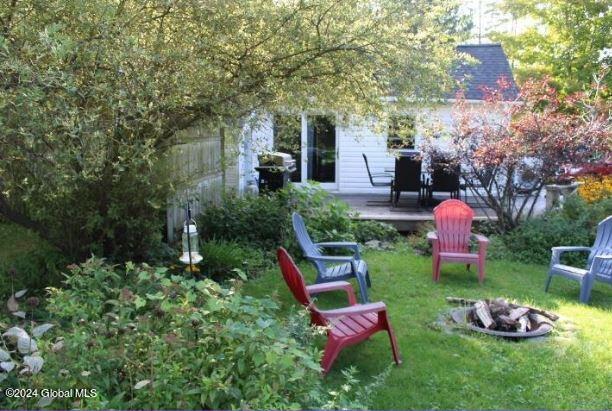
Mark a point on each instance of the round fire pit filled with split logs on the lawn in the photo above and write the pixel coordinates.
(501, 318)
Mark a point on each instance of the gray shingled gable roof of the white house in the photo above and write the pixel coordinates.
(492, 64)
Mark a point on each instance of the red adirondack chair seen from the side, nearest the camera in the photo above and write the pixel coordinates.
(346, 326)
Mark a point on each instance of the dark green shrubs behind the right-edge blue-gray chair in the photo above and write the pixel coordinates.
(574, 224)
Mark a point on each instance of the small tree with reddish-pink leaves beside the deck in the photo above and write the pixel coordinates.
(510, 149)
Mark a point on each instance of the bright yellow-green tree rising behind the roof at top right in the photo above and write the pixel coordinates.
(562, 39)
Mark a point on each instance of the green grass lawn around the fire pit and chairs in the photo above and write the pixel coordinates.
(571, 370)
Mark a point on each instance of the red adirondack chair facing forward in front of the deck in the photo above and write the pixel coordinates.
(451, 240)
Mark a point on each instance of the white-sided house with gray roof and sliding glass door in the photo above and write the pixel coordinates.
(332, 154)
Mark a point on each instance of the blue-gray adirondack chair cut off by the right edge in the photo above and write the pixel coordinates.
(599, 263)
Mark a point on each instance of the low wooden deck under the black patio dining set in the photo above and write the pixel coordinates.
(407, 216)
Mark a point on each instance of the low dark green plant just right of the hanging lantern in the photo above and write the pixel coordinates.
(221, 257)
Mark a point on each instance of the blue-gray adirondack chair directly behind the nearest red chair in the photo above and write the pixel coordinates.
(333, 268)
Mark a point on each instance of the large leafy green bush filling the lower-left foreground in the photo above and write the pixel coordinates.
(146, 339)
